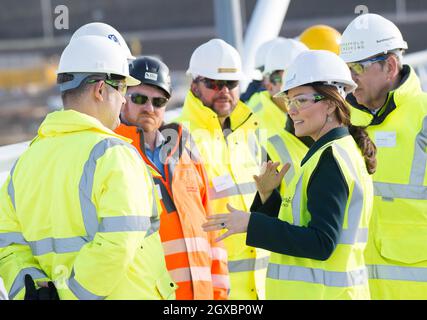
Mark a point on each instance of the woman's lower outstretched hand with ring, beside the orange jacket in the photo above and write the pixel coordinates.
(235, 222)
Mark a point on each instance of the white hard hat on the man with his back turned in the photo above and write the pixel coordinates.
(93, 55)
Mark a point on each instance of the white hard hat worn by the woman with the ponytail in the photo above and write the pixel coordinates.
(319, 66)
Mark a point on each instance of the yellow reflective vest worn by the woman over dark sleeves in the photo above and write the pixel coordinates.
(343, 275)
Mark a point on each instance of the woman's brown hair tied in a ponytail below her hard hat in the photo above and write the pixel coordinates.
(359, 134)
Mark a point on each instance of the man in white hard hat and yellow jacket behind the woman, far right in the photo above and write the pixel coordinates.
(390, 103)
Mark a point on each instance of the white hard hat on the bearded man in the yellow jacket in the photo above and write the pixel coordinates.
(217, 60)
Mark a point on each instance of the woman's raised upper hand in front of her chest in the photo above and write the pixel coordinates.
(269, 179)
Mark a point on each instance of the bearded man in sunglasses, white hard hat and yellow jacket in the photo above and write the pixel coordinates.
(224, 130)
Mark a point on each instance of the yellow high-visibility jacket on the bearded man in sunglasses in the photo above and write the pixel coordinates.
(231, 163)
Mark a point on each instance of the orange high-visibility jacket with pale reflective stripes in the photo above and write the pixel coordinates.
(195, 261)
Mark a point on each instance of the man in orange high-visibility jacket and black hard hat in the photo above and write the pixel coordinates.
(195, 261)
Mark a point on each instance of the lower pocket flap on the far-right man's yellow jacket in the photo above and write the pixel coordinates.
(409, 250)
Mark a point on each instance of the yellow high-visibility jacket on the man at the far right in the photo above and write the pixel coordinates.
(397, 248)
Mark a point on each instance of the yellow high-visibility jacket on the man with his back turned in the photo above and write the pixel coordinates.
(78, 209)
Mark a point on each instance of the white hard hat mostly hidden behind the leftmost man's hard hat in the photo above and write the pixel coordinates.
(103, 30)
